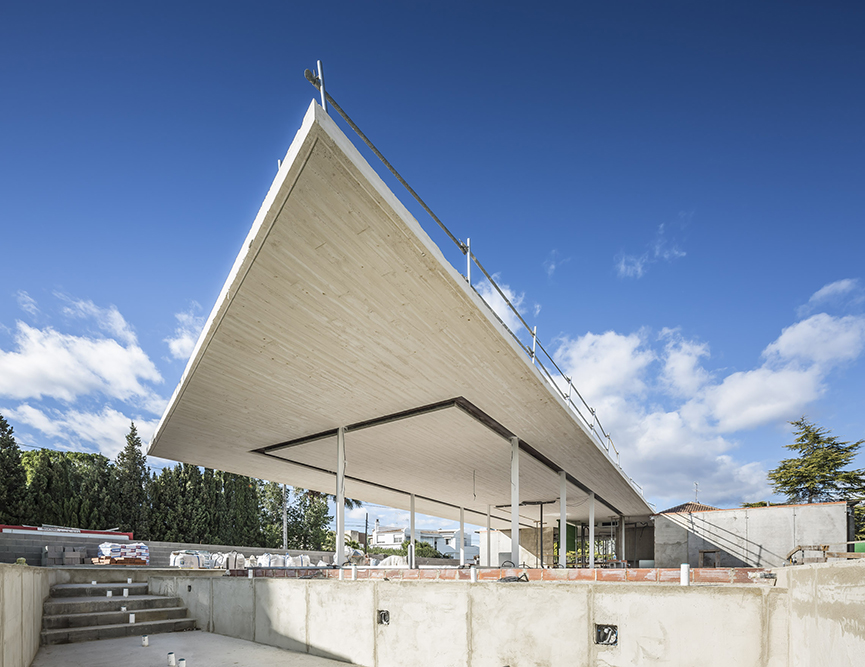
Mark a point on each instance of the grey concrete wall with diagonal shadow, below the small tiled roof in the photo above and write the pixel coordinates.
(747, 537)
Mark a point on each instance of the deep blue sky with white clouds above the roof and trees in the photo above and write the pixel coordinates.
(672, 191)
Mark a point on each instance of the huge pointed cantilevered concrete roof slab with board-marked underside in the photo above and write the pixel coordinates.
(340, 311)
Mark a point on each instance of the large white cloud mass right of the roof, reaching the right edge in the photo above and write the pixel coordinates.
(693, 436)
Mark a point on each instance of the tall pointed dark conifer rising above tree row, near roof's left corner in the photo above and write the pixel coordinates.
(130, 487)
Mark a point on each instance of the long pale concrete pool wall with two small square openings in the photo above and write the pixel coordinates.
(490, 624)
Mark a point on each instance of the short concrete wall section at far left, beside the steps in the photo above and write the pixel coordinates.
(22, 591)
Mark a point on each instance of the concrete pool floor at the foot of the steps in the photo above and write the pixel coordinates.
(201, 649)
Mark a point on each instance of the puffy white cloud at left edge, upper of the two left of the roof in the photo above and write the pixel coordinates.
(47, 363)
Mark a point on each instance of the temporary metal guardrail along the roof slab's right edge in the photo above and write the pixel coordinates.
(600, 436)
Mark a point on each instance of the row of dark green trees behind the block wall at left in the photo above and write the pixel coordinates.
(183, 503)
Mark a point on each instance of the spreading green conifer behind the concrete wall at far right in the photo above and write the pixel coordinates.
(817, 474)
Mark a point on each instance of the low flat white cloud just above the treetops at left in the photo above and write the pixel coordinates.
(82, 431)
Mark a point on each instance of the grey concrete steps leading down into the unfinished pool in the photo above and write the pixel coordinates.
(84, 612)
